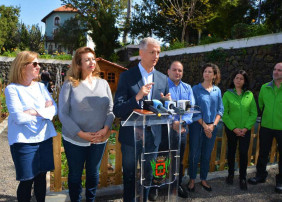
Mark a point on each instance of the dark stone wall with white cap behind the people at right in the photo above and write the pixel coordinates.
(257, 61)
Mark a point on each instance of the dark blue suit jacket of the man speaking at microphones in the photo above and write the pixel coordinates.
(130, 82)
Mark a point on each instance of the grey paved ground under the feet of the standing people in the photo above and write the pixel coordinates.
(221, 191)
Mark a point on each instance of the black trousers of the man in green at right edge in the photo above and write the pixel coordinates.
(266, 136)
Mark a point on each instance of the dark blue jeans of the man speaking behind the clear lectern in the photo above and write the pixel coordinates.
(129, 164)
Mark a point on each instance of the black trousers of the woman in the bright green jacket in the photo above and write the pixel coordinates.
(244, 143)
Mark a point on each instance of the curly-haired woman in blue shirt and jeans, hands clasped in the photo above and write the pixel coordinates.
(203, 129)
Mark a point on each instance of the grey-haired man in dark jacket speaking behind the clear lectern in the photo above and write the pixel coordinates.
(139, 83)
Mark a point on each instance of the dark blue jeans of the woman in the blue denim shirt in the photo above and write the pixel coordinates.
(200, 147)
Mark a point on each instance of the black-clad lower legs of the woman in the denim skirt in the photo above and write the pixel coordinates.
(24, 188)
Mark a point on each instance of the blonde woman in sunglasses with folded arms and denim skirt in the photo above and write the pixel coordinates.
(30, 128)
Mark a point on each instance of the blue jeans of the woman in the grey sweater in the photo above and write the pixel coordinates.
(77, 156)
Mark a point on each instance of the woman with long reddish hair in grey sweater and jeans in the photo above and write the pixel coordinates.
(85, 110)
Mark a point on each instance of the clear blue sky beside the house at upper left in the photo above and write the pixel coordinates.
(33, 11)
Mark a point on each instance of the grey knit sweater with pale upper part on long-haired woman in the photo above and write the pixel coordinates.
(82, 109)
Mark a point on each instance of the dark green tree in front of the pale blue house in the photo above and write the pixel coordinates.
(71, 34)
